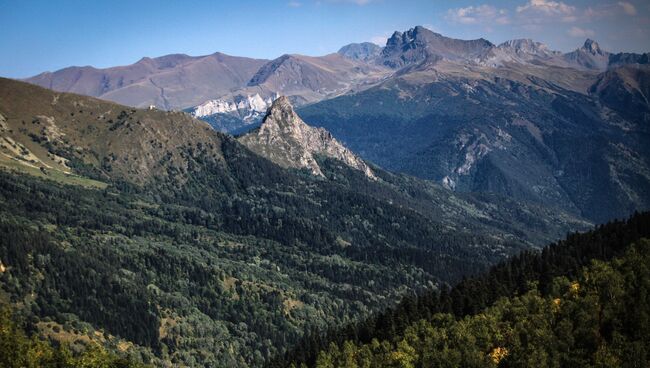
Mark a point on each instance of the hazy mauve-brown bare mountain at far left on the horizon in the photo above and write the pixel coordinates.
(170, 82)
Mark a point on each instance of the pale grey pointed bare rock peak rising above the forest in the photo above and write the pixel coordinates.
(286, 140)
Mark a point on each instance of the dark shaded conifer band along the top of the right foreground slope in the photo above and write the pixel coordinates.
(516, 276)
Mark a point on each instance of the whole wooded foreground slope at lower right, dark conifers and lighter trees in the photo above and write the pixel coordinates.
(466, 323)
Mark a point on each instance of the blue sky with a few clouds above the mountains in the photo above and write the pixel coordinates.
(37, 36)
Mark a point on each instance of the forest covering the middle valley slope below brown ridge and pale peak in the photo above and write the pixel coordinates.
(234, 259)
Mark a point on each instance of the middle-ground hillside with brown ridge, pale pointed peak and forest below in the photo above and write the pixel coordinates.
(151, 235)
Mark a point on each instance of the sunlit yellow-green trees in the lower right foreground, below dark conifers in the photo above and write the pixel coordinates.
(599, 319)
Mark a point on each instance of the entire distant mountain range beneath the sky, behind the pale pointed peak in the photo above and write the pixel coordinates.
(517, 119)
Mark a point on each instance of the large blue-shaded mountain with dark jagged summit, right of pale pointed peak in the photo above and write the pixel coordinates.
(517, 119)
